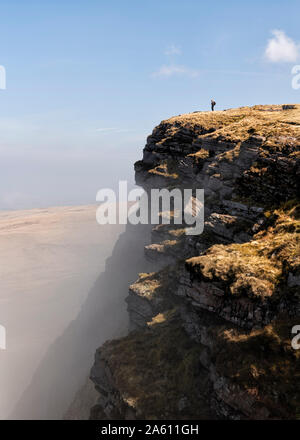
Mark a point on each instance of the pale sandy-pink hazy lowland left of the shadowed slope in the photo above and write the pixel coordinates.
(49, 260)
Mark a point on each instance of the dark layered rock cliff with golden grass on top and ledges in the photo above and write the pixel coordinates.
(210, 333)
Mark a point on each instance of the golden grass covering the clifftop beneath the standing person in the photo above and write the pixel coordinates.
(276, 126)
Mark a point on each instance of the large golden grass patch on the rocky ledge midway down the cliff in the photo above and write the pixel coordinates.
(257, 268)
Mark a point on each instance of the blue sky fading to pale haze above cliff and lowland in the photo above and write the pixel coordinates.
(88, 80)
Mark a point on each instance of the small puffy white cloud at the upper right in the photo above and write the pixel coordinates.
(281, 48)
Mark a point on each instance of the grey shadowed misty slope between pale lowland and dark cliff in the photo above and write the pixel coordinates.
(59, 387)
